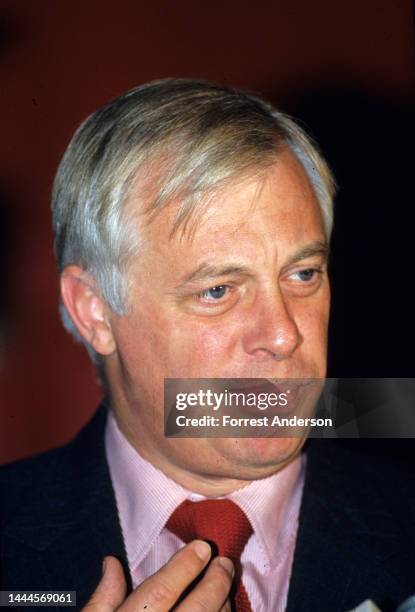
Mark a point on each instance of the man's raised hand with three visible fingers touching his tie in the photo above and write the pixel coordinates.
(160, 592)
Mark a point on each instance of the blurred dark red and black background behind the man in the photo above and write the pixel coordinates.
(344, 68)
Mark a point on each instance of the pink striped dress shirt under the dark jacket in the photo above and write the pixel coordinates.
(146, 497)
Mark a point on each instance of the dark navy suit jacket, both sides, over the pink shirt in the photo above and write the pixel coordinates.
(355, 538)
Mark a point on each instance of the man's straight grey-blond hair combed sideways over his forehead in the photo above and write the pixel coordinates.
(181, 137)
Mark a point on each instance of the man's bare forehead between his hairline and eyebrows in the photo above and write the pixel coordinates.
(260, 207)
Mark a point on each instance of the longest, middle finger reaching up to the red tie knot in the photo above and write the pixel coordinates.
(161, 591)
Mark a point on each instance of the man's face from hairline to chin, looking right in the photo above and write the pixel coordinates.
(246, 295)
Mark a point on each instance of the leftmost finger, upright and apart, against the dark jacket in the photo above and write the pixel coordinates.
(111, 590)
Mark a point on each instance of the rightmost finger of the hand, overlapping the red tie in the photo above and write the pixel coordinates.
(212, 591)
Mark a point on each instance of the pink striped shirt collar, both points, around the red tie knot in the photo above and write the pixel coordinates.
(146, 498)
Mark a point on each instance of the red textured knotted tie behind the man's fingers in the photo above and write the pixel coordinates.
(219, 521)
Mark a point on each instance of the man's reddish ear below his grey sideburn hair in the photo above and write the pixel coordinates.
(89, 312)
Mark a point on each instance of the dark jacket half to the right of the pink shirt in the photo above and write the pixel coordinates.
(346, 537)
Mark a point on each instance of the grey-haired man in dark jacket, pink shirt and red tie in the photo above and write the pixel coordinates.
(192, 225)
